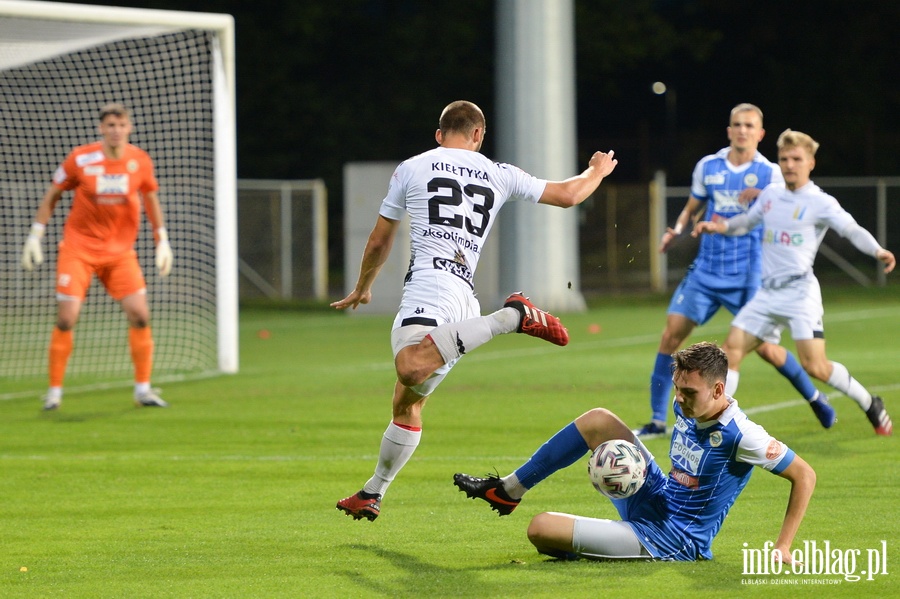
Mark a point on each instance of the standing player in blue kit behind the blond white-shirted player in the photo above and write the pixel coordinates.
(726, 269)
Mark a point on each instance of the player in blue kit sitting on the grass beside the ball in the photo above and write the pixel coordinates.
(713, 450)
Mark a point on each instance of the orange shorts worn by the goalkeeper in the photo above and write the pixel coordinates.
(121, 276)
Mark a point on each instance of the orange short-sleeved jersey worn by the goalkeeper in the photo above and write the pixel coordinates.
(106, 209)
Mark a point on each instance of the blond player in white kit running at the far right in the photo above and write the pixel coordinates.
(795, 217)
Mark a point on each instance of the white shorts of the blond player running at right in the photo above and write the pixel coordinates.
(797, 306)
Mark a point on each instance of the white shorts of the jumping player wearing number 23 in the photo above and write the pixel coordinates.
(430, 299)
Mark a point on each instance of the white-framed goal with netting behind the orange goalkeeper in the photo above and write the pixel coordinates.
(59, 63)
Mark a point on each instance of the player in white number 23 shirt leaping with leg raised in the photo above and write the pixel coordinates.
(452, 195)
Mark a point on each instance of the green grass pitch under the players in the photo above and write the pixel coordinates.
(231, 491)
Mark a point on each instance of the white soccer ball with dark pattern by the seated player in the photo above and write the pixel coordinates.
(617, 469)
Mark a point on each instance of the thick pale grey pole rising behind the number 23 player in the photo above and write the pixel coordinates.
(536, 131)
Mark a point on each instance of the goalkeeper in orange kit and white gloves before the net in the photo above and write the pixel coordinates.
(110, 178)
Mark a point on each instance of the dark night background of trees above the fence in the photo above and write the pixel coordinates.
(322, 83)
